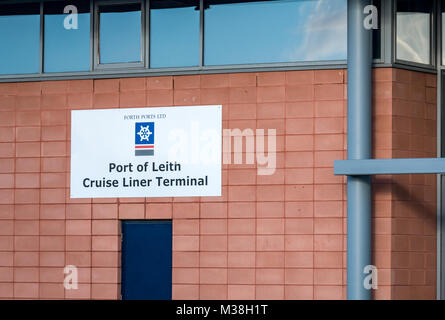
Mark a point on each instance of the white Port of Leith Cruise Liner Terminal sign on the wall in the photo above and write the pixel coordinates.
(146, 152)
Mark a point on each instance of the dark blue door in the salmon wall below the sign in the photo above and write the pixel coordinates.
(146, 260)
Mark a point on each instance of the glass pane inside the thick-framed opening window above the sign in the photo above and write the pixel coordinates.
(120, 33)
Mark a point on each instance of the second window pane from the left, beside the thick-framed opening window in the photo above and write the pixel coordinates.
(67, 48)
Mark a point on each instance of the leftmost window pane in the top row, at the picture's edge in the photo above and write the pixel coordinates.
(19, 38)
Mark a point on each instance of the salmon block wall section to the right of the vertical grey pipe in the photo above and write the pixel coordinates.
(405, 205)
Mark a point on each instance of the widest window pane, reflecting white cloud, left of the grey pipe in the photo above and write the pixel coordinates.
(275, 31)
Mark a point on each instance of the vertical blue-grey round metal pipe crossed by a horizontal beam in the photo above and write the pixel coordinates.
(359, 147)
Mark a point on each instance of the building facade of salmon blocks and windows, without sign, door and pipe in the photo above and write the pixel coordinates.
(271, 65)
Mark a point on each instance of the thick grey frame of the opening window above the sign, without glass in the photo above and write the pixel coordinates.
(96, 36)
